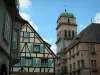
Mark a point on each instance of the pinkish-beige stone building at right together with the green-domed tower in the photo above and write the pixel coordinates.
(77, 54)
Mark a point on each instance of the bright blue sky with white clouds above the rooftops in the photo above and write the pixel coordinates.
(43, 14)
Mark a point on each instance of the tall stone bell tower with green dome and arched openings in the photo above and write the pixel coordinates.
(66, 30)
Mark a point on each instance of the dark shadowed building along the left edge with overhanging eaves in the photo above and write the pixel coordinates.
(10, 24)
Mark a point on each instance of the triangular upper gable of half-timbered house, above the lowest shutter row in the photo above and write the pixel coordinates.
(32, 41)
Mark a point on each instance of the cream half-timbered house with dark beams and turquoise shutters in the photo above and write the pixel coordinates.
(36, 57)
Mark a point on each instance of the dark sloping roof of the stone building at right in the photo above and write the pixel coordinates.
(91, 34)
